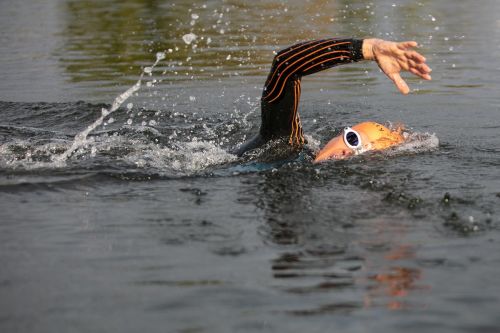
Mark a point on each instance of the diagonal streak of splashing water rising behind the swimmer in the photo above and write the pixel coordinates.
(81, 138)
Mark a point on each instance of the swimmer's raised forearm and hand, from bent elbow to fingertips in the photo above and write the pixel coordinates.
(314, 56)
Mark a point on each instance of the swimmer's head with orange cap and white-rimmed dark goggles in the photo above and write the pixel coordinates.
(360, 138)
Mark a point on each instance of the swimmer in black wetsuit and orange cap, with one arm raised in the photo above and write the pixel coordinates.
(281, 95)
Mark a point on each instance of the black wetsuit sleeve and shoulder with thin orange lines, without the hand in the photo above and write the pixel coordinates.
(280, 98)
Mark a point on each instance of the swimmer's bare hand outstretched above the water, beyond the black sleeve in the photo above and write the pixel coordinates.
(392, 58)
